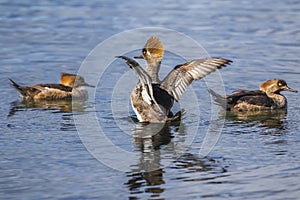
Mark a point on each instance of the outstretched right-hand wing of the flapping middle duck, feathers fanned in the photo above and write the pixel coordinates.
(183, 75)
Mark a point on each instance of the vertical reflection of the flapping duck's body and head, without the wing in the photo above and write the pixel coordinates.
(149, 138)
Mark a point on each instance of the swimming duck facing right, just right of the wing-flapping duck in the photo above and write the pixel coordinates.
(267, 98)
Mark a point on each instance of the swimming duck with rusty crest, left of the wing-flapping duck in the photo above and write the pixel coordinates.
(71, 86)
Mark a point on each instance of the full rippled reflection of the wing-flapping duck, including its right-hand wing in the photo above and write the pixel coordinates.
(155, 143)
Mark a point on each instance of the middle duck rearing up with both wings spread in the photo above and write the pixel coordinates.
(152, 99)
